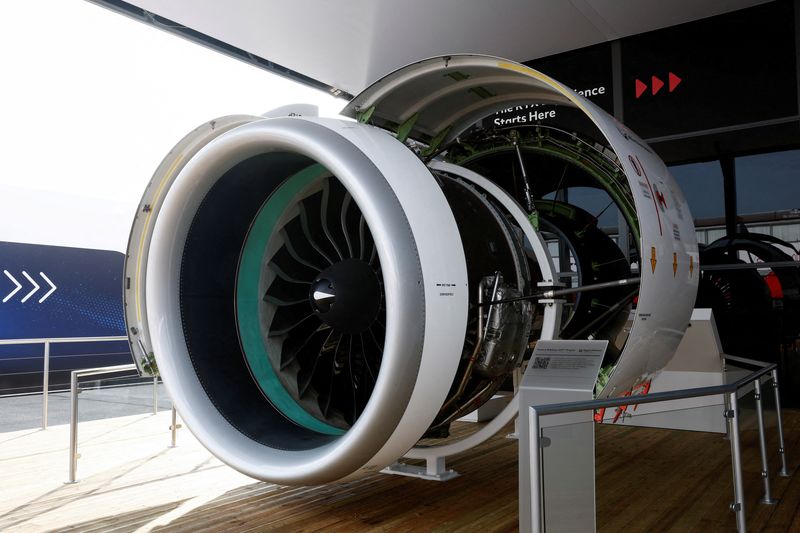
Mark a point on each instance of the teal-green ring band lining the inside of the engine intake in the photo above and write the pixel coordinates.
(248, 300)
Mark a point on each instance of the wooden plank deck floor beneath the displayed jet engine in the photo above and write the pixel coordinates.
(130, 480)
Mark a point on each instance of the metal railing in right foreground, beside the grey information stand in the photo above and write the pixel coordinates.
(731, 414)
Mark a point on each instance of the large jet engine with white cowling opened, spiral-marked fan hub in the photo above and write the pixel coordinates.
(319, 295)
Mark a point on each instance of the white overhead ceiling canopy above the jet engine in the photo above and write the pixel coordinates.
(348, 45)
